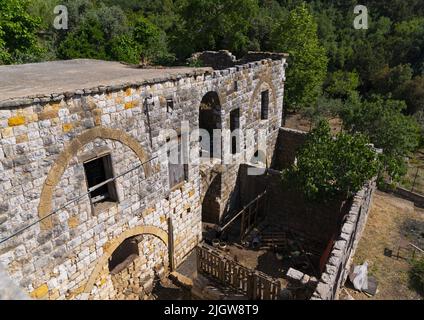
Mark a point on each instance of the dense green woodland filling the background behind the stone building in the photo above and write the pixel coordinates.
(372, 78)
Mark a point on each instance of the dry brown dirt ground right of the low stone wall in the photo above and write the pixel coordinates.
(390, 219)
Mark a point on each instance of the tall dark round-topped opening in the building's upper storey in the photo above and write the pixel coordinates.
(209, 120)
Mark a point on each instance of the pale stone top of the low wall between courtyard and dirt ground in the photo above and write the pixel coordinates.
(340, 259)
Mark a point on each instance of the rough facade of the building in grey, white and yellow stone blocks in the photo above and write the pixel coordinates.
(46, 138)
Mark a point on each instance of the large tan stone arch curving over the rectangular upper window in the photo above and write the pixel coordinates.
(59, 166)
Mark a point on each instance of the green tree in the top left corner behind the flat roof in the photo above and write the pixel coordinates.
(18, 38)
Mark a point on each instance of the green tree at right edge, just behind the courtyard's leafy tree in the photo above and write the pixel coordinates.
(383, 121)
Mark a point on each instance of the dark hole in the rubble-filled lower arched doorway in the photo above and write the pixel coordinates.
(126, 252)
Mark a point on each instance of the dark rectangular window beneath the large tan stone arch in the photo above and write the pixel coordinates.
(98, 171)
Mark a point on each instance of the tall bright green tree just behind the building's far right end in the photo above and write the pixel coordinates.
(308, 61)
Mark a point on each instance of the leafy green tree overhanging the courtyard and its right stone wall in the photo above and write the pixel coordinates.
(330, 168)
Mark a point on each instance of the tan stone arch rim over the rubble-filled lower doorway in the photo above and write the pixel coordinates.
(111, 246)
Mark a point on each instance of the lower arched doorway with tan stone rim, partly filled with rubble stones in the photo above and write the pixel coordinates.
(130, 264)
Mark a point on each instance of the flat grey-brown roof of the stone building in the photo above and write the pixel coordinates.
(38, 79)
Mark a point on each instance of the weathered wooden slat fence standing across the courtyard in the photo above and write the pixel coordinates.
(222, 268)
